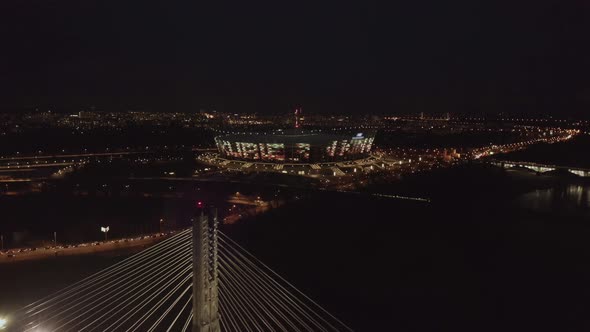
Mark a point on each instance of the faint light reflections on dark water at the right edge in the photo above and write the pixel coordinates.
(573, 200)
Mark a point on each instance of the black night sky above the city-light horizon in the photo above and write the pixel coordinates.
(327, 56)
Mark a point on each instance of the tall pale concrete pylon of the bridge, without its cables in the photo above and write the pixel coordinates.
(205, 273)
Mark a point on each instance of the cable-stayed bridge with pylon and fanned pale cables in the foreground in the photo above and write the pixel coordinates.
(199, 280)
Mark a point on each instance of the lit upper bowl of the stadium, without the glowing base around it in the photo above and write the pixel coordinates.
(294, 147)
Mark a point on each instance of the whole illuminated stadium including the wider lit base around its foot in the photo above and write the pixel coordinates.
(312, 153)
